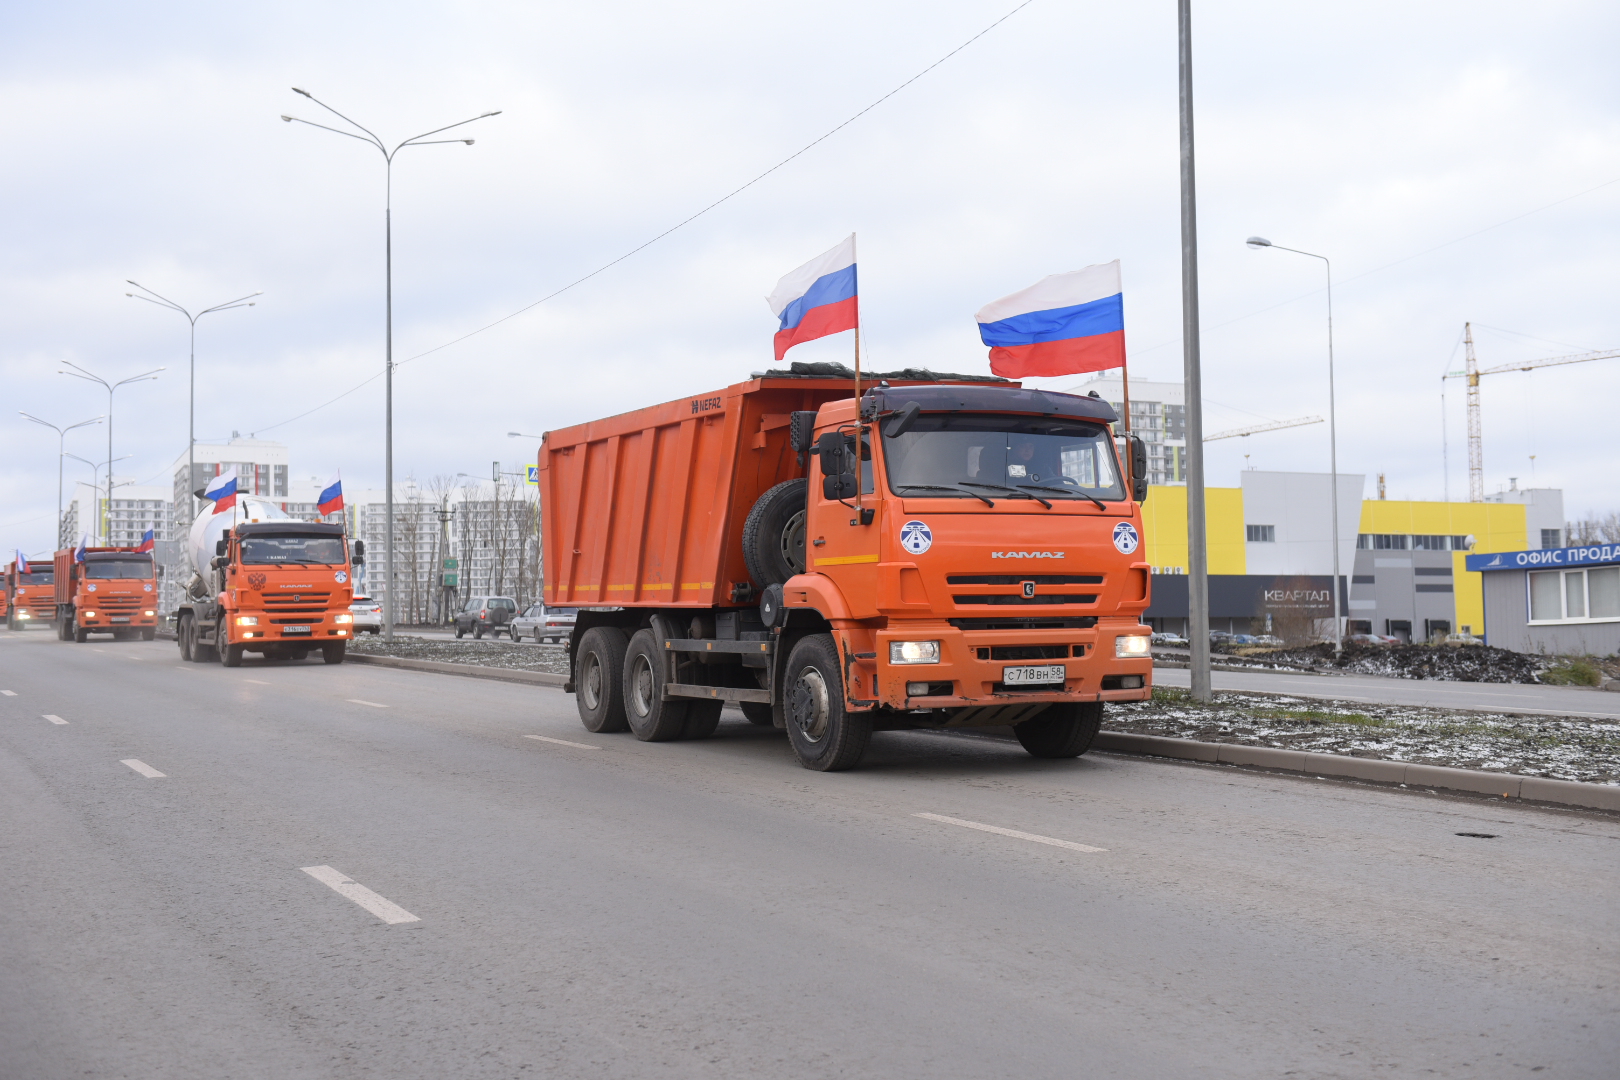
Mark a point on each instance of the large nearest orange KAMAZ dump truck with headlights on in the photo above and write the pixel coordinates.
(958, 555)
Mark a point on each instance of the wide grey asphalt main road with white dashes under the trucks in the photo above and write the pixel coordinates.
(587, 906)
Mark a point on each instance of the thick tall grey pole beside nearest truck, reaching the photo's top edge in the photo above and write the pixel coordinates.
(1193, 368)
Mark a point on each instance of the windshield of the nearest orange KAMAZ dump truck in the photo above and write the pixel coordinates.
(966, 456)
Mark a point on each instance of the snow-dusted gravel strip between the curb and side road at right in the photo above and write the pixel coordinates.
(1562, 749)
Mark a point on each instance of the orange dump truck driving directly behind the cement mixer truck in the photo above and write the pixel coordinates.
(114, 590)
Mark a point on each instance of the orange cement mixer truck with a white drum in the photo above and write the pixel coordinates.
(265, 582)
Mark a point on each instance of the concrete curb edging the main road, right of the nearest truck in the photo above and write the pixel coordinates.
(1373, 770)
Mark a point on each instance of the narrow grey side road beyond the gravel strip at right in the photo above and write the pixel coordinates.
(1413, 692)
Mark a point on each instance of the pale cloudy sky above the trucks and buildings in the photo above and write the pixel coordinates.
(1459, 163)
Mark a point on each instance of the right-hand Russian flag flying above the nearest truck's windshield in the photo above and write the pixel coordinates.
(1062, 326)
